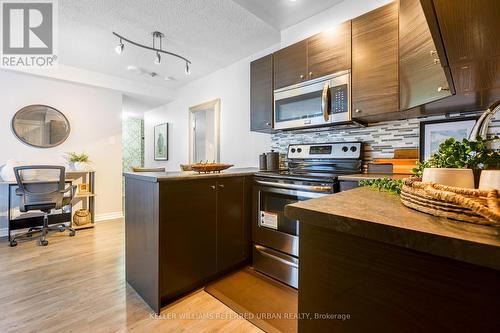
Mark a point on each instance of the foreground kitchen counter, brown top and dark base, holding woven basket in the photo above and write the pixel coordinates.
(368, 263)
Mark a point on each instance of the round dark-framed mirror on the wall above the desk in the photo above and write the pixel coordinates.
(40, 126)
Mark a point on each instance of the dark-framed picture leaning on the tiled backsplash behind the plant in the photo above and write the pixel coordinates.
(435, 132)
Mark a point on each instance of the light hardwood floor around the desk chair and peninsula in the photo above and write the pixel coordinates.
(78, 285)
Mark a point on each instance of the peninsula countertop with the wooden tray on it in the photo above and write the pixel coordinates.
(183, 175)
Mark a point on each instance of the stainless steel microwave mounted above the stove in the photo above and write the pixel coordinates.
(322, 101)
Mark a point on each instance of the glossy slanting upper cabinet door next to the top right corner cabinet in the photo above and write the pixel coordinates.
(422, 78)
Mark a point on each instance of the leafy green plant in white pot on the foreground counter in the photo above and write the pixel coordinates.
(459, 163)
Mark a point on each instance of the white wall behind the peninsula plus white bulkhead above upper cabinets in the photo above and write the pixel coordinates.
(239, 146)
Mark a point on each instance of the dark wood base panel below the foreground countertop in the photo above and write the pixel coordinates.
(376, 287)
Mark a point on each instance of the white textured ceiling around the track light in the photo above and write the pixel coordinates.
(211, 33)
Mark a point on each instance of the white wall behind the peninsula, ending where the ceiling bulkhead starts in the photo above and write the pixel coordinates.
(238, 145)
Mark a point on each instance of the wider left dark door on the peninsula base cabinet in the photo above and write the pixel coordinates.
(187, 235)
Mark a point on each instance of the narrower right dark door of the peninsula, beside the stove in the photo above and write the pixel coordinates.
(232, 237)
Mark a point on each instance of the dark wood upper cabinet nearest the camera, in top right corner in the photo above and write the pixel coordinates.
(470, 33)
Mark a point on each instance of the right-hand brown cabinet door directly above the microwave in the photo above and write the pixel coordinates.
(330, 51)
